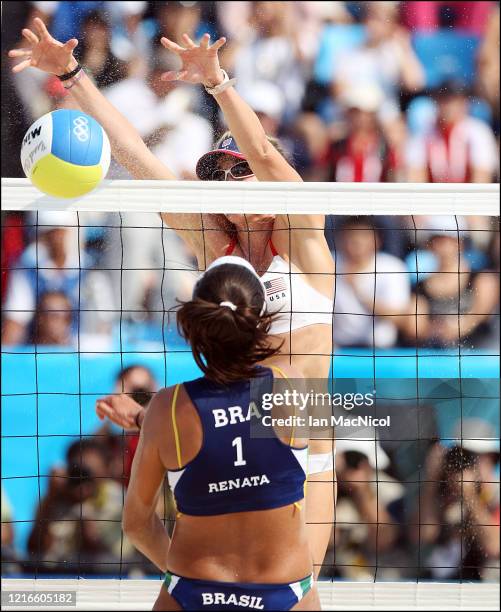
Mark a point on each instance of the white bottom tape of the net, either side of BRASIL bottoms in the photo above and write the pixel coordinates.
(141, 595)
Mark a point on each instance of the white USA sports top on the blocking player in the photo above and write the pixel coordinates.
(287, 293)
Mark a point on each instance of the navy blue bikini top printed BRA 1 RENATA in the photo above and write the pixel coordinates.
(235, 471)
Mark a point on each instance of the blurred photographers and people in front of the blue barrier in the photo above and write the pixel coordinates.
(410, 505)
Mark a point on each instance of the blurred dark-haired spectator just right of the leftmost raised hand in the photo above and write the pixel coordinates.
(95, 54)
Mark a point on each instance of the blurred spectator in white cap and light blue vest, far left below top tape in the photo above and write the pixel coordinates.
(55, 263)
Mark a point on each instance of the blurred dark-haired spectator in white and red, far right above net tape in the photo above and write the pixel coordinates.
(460, 148)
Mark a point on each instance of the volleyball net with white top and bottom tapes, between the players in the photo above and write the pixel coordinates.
(87, 290)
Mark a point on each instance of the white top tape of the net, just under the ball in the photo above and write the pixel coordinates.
(276, 198)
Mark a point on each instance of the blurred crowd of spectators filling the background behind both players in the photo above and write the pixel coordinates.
(357, 92)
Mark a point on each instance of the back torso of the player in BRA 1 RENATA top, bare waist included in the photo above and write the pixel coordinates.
(239, 498)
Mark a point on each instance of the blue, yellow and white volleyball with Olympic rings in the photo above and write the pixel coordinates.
(65, 153)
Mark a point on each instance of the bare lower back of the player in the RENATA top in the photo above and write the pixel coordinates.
(267, 546)
